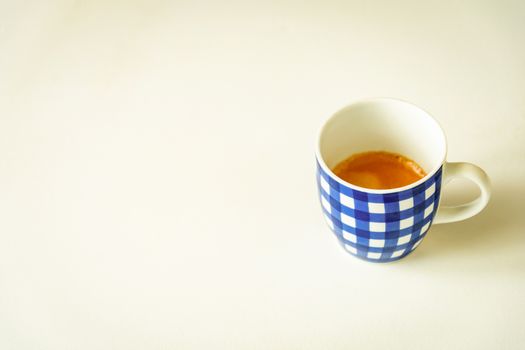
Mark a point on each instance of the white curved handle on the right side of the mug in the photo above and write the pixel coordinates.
(464, 211)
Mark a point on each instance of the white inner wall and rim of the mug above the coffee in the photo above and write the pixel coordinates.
(382, 124)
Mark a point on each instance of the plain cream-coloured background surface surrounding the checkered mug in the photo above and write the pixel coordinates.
(157, 174)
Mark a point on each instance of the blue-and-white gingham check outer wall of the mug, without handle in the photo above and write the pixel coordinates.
(379, 227)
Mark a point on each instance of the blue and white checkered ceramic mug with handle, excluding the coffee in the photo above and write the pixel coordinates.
(386, 225)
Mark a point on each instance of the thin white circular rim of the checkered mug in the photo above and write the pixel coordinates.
(328, 171)
